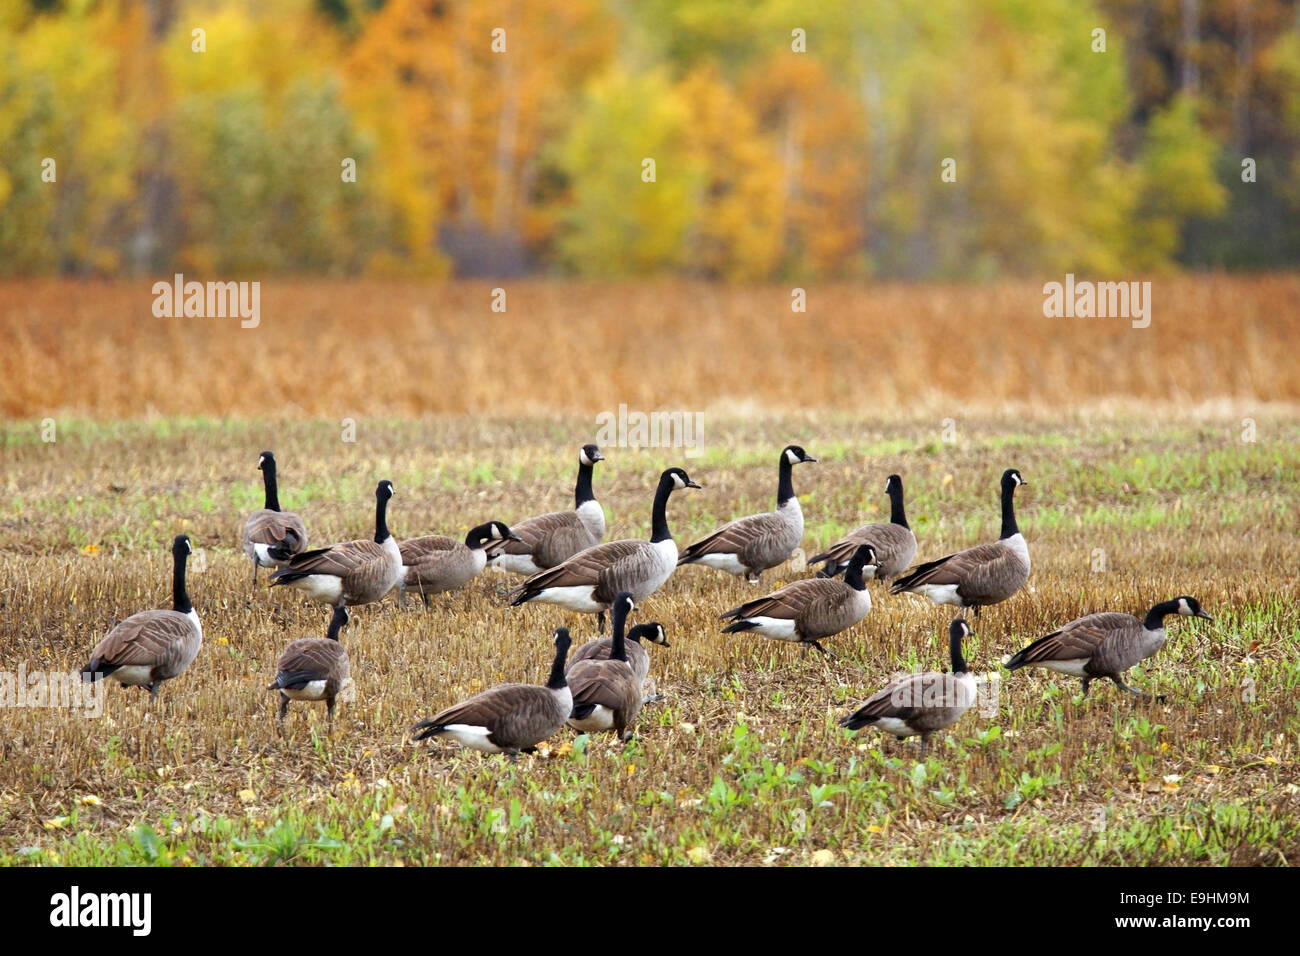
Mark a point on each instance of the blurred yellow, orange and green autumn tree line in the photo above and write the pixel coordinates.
(791, 139)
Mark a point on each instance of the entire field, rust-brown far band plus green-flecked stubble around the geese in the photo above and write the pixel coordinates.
(1162, 462)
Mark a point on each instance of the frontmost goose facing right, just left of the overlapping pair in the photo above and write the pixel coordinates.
(510, 719)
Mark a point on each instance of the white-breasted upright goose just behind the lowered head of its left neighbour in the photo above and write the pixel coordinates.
(547, 540)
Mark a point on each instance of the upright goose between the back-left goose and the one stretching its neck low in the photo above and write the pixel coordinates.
(352, 573)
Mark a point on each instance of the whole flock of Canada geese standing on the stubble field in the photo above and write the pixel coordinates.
(603, 687)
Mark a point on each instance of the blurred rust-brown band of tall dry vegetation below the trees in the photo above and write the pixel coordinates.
(371, 349)
